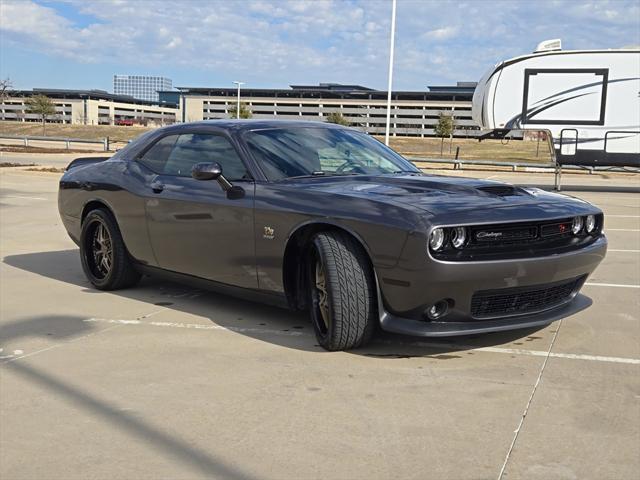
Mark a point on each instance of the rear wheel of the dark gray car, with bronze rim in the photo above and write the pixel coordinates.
(99, 231)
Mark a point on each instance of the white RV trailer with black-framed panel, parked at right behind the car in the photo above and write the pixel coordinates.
(588, 100)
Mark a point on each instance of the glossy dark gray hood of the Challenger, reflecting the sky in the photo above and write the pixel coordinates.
(433, 193)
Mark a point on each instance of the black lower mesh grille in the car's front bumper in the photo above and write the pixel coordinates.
(521, 300)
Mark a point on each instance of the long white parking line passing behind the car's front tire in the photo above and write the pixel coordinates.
(438, 345)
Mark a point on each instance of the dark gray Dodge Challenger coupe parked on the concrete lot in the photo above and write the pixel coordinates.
(325, 218)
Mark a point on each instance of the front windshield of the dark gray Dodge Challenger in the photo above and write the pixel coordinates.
(316, 151)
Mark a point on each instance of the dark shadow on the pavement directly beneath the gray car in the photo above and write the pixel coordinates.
(266, 323)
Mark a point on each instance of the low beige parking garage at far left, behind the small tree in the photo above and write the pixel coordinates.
(89, 107)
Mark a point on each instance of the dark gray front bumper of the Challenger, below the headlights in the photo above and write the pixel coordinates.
(403, 304)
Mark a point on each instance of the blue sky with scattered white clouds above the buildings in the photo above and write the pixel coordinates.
(276, 43)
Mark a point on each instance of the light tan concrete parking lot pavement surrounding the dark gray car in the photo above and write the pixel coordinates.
(163, 381)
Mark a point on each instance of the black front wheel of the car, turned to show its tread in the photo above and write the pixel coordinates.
(349, 292)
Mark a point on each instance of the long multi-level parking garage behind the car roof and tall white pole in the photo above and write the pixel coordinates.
(413, 113)
